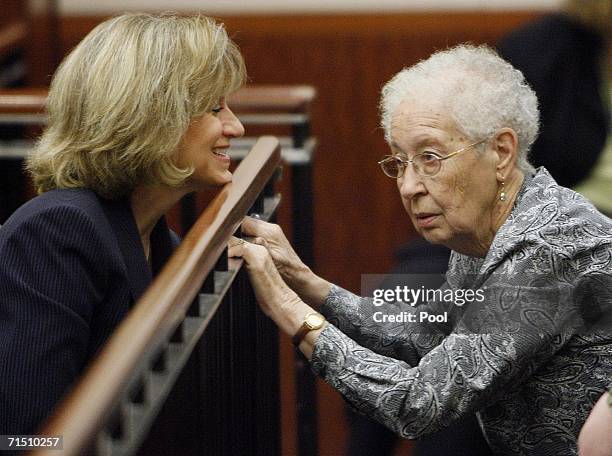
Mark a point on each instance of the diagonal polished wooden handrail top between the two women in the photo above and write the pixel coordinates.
(163, 306)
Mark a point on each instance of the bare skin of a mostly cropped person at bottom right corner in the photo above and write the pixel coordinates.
(595, 437)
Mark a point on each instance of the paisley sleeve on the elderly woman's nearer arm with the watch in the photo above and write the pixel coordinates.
(493, 349)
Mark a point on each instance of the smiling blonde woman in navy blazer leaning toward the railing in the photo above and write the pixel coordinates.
(137, 119)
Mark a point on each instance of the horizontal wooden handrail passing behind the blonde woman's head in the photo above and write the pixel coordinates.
(255, 98)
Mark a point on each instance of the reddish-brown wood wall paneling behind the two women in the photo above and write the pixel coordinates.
(359, 220)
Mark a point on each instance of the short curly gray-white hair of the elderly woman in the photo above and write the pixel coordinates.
(481, 92)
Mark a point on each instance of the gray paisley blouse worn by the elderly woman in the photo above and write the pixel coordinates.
(531, 360)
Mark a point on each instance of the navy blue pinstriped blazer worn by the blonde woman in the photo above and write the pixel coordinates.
(71, 265)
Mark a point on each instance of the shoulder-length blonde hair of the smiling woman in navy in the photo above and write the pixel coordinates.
(121, 101)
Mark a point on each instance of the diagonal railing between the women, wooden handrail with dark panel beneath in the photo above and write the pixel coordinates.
(229, 374)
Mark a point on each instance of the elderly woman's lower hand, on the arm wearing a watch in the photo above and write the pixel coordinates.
(272, 293)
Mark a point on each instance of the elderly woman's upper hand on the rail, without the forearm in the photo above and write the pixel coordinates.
(271, 236)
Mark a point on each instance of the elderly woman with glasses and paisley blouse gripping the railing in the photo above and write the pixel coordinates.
(534, 256)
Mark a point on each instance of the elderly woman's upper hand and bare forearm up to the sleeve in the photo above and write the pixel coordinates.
(311, 288)
